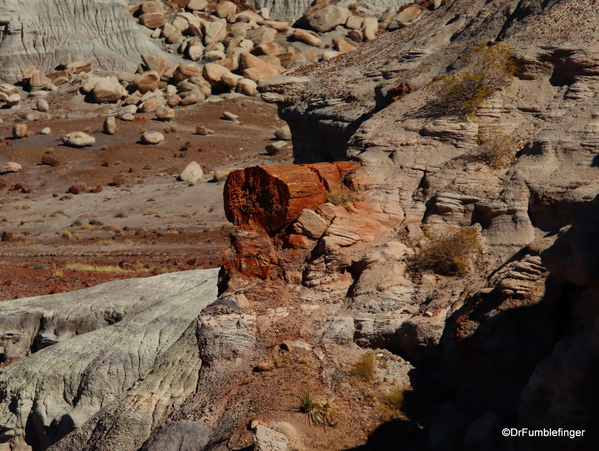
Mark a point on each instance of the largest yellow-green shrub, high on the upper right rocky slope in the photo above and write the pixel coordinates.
(486, 70)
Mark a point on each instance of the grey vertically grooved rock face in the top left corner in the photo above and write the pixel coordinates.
(41, 32)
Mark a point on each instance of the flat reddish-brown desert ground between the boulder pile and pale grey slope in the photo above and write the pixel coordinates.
(147, 222)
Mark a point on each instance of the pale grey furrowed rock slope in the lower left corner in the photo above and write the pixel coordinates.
(86, 335)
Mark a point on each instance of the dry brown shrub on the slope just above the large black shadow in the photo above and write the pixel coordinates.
(446, 253)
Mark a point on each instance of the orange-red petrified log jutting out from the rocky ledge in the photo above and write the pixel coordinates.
(271, 197)
